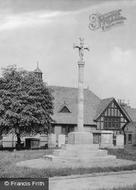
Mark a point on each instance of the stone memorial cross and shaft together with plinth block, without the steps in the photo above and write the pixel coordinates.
(80, 136)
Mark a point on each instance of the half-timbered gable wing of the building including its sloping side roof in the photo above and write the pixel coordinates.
(110, 115)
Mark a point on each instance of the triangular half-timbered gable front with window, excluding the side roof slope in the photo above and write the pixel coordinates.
(112, 117)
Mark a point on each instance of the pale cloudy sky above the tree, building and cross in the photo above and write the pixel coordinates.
(45, 31)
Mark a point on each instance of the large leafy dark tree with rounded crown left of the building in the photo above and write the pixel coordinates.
(26, 104)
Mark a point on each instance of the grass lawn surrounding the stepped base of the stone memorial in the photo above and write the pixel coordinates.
(8, 166)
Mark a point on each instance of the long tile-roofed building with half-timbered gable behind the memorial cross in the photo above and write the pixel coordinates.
(99, 114)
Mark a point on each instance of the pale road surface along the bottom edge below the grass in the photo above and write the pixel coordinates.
(93, 182)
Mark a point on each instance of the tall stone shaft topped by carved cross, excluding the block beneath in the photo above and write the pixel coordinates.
(81, 63)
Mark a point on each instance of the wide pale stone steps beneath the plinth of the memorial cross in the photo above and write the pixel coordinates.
(81, 153)
